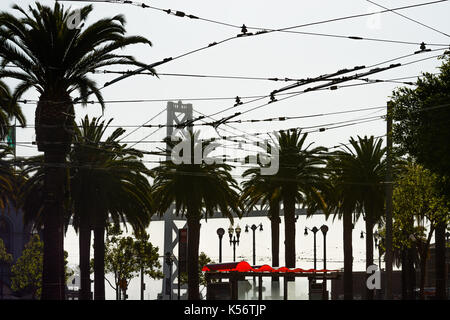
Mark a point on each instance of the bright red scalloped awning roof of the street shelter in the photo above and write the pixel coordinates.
(244, 266)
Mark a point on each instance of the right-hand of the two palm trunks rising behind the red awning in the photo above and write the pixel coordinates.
(289, 227)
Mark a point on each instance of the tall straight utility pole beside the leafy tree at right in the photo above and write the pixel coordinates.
(389, 186)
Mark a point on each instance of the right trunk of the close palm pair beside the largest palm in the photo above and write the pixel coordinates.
(99, 259)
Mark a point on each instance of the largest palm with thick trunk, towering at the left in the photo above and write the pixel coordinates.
(54, 58)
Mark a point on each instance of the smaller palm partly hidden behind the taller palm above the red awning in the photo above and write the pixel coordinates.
(262, 190)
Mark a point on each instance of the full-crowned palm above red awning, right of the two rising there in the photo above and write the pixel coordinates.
(301, 179)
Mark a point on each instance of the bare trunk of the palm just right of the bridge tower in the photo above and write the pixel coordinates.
(192, 267)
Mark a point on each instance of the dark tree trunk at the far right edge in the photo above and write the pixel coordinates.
(441, 276)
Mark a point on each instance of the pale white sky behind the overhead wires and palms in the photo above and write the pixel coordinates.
(270, 55)
